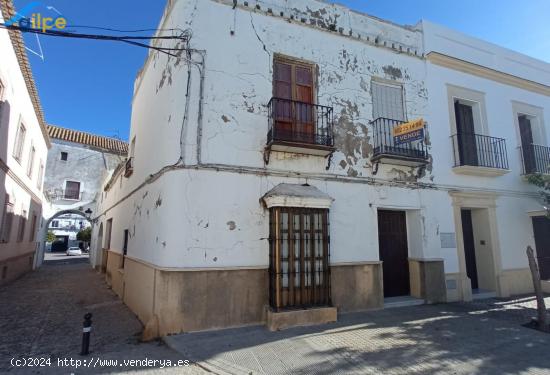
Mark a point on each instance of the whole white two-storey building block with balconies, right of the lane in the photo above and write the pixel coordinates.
(263, 175)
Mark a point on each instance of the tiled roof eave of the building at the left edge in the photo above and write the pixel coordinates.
(8, 10)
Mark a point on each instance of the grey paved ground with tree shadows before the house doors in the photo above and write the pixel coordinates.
(482, 337)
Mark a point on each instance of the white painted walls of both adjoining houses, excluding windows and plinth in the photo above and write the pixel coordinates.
(193, 201)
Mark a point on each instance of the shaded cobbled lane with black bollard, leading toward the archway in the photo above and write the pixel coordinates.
(41, 316)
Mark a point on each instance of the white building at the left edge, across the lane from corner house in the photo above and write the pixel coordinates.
(24, 145)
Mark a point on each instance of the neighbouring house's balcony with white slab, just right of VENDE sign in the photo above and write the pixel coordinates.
(479, 155)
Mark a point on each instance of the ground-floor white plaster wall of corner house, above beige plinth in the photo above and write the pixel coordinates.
(198, 225)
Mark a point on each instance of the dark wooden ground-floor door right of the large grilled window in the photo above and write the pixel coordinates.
(394, 253)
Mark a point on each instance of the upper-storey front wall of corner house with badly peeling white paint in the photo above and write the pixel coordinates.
(236, 116)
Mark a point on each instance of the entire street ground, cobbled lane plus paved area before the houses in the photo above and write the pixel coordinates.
(43, 318)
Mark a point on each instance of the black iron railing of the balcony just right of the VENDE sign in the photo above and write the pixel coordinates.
(478, 150)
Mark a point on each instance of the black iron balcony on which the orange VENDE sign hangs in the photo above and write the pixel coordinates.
(386, 151)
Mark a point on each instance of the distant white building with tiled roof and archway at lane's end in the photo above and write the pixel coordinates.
(76, 167)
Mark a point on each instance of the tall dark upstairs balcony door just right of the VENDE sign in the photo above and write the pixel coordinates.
(465, 132)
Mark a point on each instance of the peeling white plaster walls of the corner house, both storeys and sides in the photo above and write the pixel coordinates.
(183, 219)
